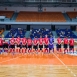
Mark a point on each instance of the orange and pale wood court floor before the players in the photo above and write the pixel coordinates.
(52, 65)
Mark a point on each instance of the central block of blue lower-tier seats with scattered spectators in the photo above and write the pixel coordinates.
(42, 32)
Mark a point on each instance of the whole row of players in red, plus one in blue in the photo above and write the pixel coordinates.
(45, 44)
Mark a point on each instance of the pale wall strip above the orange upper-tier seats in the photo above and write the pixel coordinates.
(17, 9)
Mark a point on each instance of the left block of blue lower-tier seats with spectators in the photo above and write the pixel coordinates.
(16, 32)
